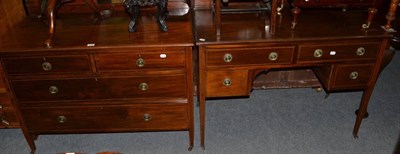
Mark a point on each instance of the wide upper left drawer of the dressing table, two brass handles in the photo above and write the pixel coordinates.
(249, 56)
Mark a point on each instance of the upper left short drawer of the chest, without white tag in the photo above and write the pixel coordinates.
(53, 64)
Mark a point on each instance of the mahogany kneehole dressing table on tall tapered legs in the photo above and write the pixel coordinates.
(343, 55)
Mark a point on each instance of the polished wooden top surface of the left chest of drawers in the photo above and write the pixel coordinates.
(77, 30)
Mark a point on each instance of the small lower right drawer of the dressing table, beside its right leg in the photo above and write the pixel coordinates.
(352, 76)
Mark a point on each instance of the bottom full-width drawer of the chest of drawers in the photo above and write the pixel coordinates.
(137, 117)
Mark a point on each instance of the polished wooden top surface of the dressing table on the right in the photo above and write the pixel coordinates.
(322, 24)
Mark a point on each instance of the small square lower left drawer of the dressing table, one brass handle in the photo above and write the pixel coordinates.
(227, 83)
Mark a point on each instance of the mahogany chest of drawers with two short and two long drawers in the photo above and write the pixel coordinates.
(115, 86)
